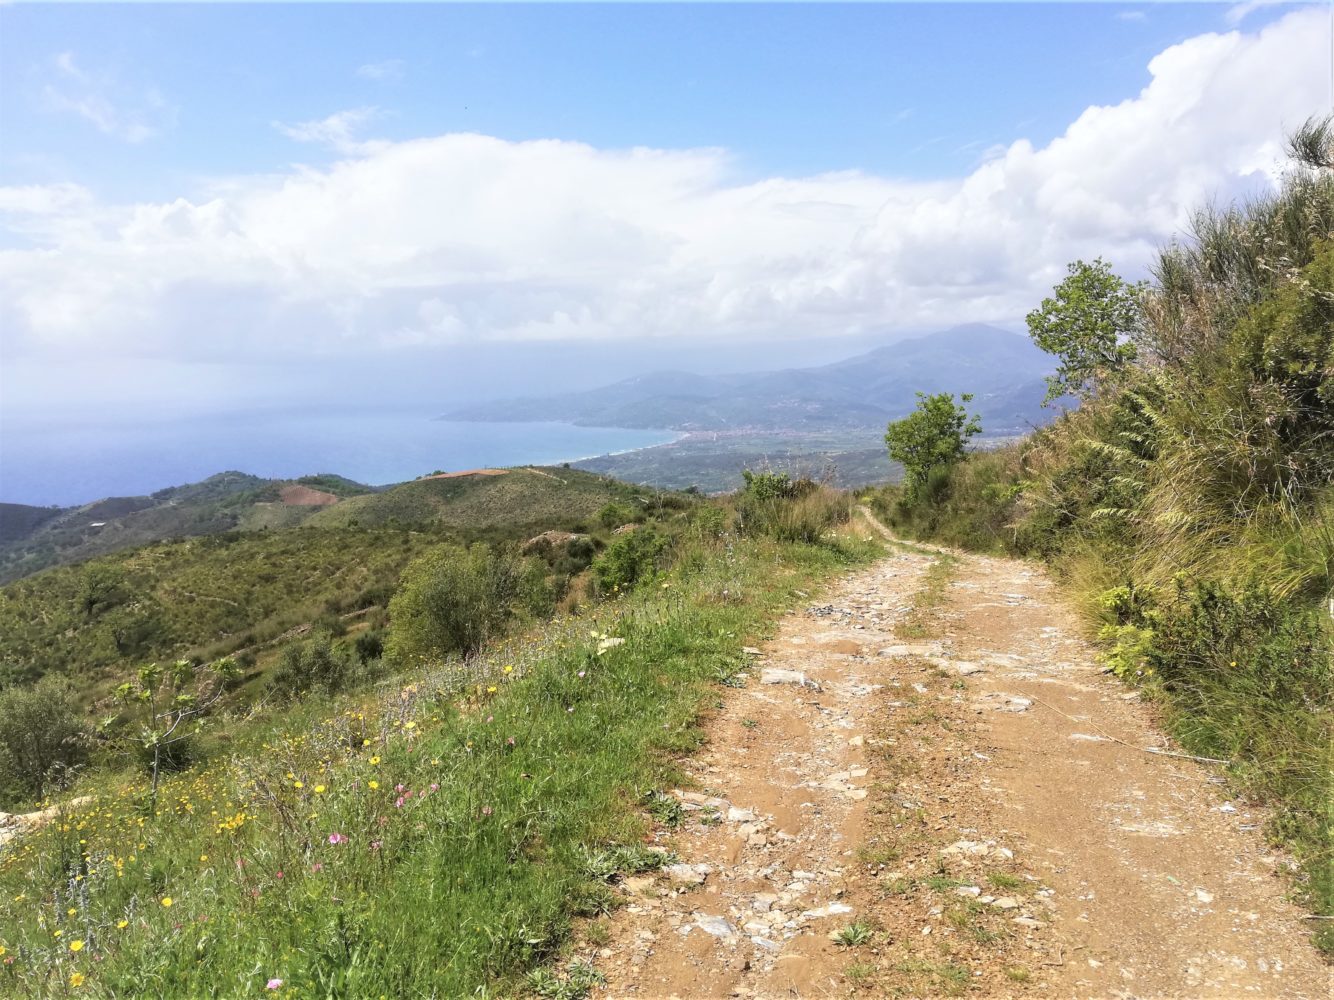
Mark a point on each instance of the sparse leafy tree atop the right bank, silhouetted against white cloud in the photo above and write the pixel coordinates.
(1088, 325)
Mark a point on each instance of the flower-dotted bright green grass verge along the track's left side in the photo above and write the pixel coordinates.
(437, 839)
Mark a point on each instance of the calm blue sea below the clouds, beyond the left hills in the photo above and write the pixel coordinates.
(78, 463)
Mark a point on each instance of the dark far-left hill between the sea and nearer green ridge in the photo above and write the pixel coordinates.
(35, 538)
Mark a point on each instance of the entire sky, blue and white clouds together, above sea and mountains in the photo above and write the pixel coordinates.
(209, 207)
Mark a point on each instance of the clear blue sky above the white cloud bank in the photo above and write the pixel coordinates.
(906, 90)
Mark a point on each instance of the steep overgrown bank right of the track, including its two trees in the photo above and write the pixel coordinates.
(1189, 502)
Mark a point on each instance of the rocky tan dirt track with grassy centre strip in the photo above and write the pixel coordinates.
(929, 789)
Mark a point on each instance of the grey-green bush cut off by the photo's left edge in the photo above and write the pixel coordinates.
(42, 738)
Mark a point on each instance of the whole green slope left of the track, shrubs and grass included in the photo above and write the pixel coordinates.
(416, 807)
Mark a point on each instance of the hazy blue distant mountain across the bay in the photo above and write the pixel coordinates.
(1004, 371)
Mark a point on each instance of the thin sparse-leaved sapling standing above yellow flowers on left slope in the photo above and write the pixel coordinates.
(171, 705)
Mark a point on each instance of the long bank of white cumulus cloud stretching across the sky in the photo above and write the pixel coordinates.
(465, 238)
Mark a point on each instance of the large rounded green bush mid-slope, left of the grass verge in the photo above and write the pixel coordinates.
(453, 601)
